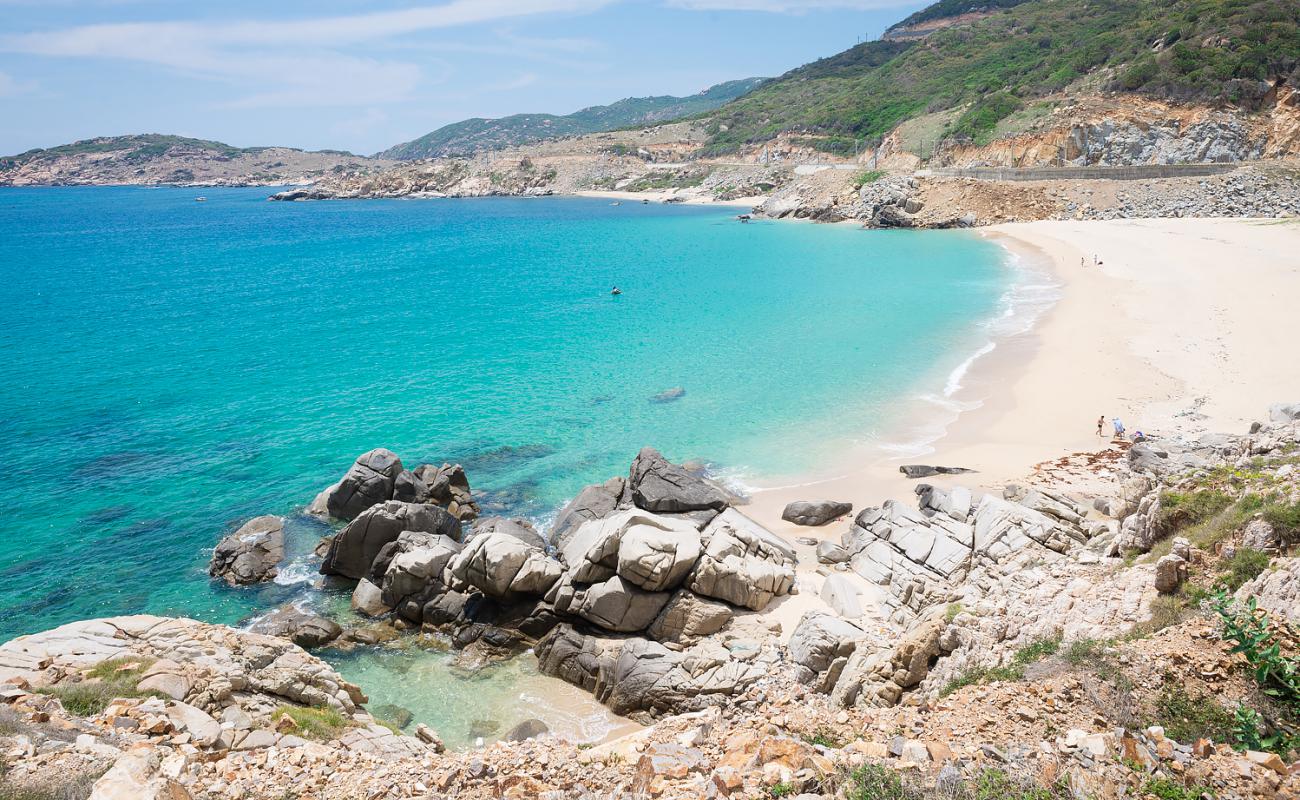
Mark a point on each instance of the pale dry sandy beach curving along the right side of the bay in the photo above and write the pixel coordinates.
(1184, 327)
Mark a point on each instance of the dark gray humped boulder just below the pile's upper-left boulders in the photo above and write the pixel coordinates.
(354, 550)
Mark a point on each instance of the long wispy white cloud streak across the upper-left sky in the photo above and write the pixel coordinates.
(292, 63)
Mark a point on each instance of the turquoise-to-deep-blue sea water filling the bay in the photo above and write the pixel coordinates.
(171, 369)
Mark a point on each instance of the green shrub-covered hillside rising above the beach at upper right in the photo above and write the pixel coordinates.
(1207, 51)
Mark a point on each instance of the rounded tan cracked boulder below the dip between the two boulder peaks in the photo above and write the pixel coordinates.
(502, 567)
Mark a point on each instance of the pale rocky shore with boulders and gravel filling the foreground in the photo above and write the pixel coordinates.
(1022, 643)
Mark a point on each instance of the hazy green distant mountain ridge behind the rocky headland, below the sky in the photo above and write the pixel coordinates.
(480, 135)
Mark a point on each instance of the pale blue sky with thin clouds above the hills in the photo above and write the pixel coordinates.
(363, 76)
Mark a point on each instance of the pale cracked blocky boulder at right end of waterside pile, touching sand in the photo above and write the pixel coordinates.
(743, 564)
